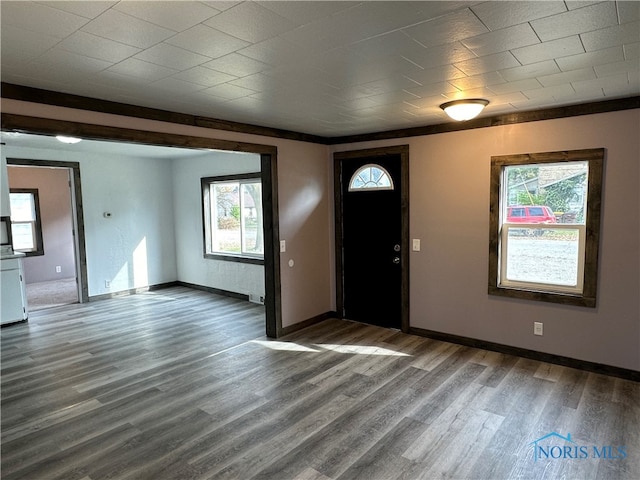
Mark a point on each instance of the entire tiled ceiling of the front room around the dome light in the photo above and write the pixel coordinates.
(347, 68)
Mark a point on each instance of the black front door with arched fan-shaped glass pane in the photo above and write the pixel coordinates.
(373, 248)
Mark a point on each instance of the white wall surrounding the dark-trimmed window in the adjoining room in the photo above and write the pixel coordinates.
(192, 267)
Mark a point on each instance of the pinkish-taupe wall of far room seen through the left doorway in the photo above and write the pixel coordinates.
(56, 218)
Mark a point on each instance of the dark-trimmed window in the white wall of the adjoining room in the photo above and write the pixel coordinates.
(232, 217)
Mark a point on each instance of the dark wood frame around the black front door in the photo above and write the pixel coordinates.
(338, 158)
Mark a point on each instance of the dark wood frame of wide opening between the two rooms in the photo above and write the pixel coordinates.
(269, 175)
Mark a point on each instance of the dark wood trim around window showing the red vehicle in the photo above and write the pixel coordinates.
(595, 157)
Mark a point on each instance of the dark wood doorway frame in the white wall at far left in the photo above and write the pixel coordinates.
(77, 214)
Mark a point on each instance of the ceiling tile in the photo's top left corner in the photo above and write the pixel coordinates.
(41, 18)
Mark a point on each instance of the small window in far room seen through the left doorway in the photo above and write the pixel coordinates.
(26, 228)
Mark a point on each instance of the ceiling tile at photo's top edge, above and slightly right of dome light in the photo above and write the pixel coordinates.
(497, 15)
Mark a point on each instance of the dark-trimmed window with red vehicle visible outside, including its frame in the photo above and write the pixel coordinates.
(545, 225)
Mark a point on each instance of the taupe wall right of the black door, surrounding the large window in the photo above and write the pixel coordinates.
(449, 212)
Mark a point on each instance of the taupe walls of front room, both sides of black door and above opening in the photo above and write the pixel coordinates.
(449, 275)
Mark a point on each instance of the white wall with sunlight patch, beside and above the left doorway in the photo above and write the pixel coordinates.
(135, 247)
